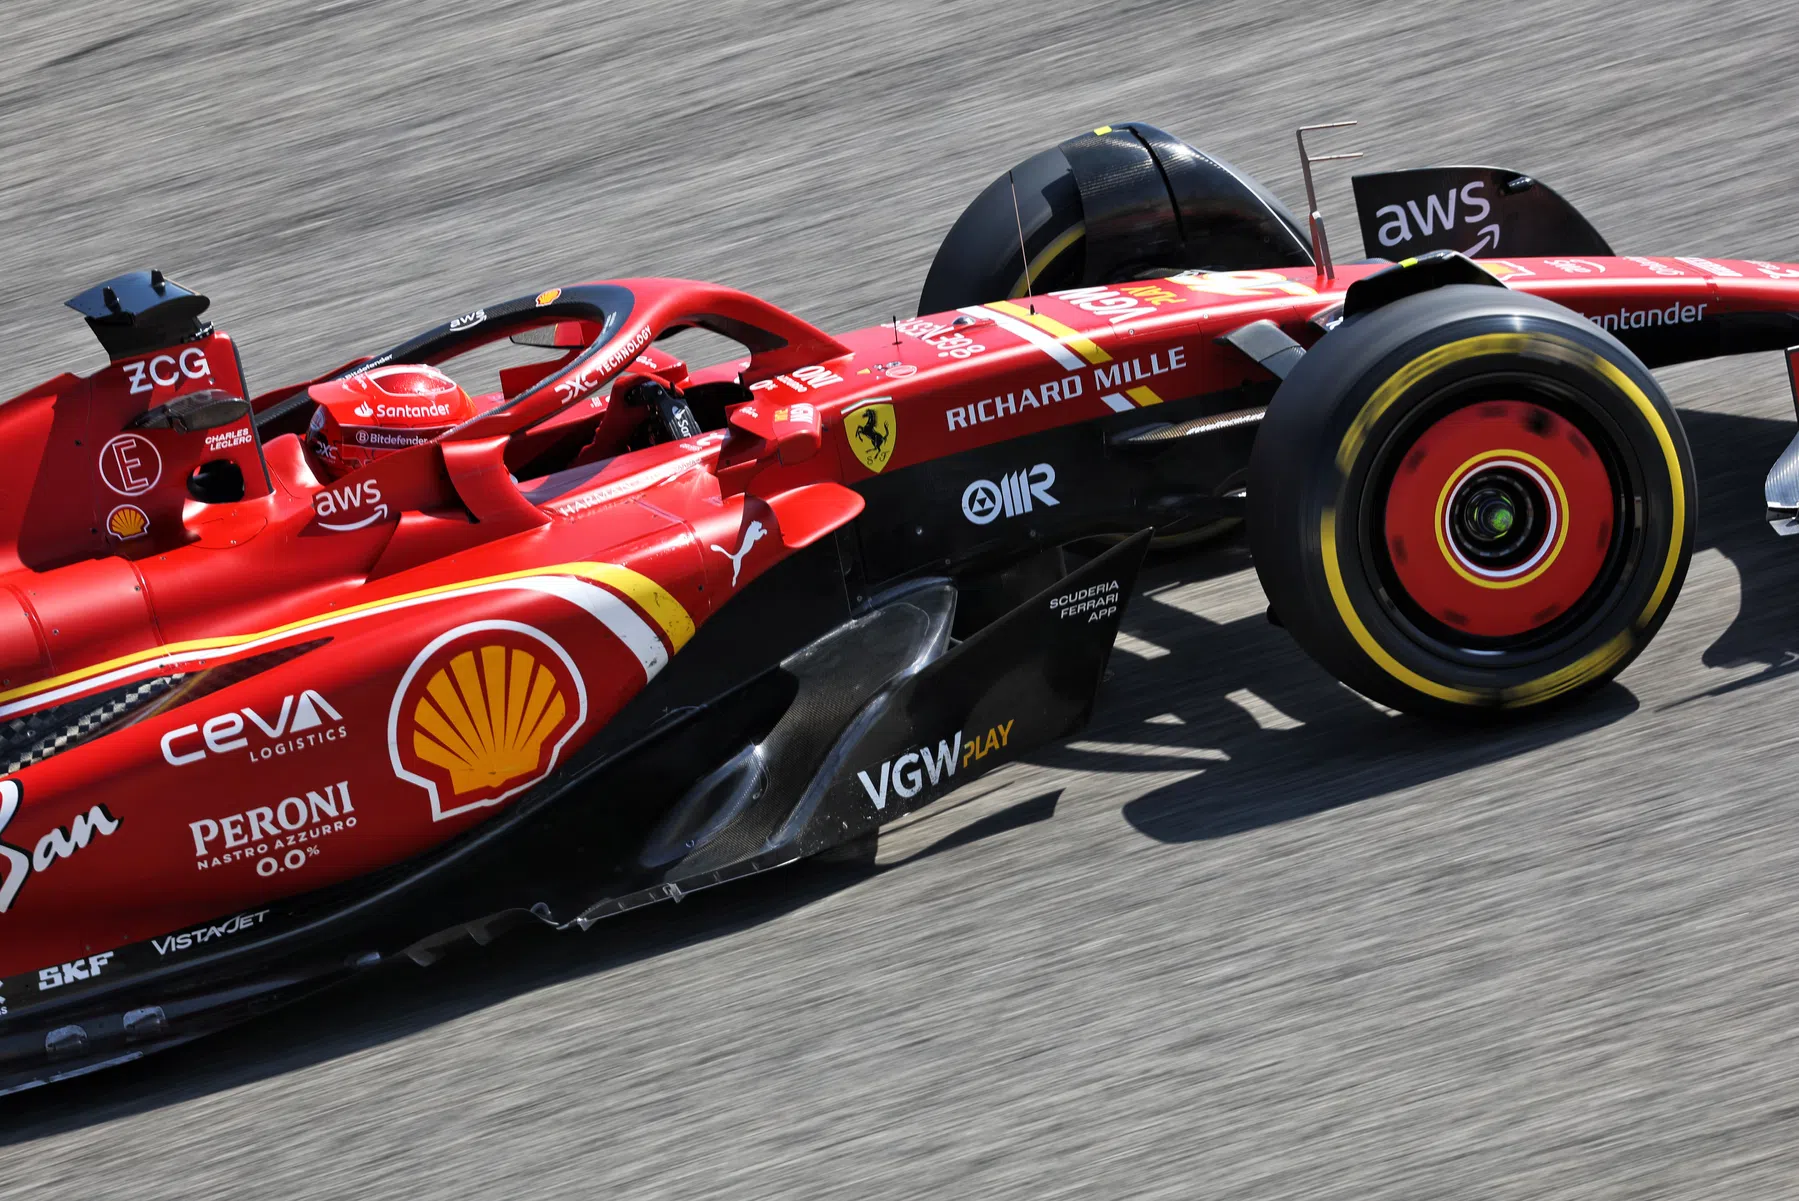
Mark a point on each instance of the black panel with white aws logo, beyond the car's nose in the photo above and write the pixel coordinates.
(1474, 211)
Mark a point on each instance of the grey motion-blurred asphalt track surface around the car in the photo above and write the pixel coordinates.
(1248, 936)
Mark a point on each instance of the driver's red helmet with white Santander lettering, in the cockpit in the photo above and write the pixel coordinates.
(377, 413)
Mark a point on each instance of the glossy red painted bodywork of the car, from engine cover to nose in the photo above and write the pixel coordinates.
(416, 645)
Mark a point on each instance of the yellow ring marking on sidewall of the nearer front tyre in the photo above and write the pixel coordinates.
(1593, 664)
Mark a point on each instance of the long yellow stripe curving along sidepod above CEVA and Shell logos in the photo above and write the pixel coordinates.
(652, 598)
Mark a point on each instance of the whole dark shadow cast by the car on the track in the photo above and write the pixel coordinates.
(1257, 731)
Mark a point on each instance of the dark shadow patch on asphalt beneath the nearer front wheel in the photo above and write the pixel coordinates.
(1258, 733)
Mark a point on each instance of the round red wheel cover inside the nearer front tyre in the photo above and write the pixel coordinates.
(1499, 519)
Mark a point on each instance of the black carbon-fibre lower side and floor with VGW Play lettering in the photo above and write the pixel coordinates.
(812, 740)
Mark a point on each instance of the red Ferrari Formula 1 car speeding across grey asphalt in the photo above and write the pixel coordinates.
(294, 684)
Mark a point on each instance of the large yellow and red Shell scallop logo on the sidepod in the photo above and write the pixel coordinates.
(483, 715)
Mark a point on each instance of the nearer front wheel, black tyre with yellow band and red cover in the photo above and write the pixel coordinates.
(1471, 503)
